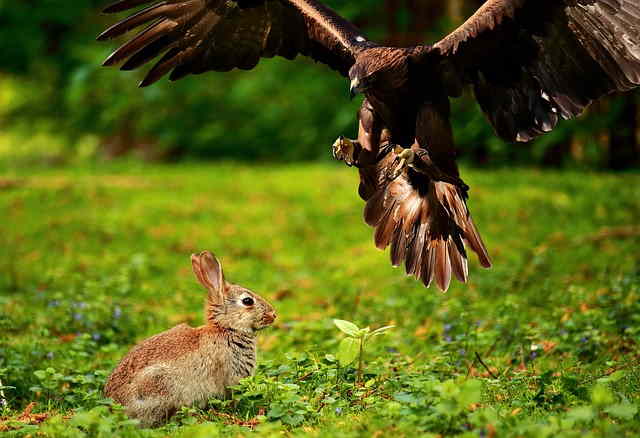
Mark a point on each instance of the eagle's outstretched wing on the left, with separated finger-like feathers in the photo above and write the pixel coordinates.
(196, 36)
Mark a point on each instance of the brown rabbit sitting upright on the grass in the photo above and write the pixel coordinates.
(186, 365)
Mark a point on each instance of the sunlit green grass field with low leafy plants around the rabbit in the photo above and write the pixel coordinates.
(94, 260)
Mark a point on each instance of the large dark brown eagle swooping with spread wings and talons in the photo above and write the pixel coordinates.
(530, 63)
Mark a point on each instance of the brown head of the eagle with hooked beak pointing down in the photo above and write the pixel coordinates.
(378, 68)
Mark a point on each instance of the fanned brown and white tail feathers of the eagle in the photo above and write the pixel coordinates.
(427, 224)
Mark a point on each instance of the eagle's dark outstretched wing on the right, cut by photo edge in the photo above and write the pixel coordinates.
(532, 62)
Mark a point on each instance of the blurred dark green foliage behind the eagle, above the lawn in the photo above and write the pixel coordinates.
(58, 105)
